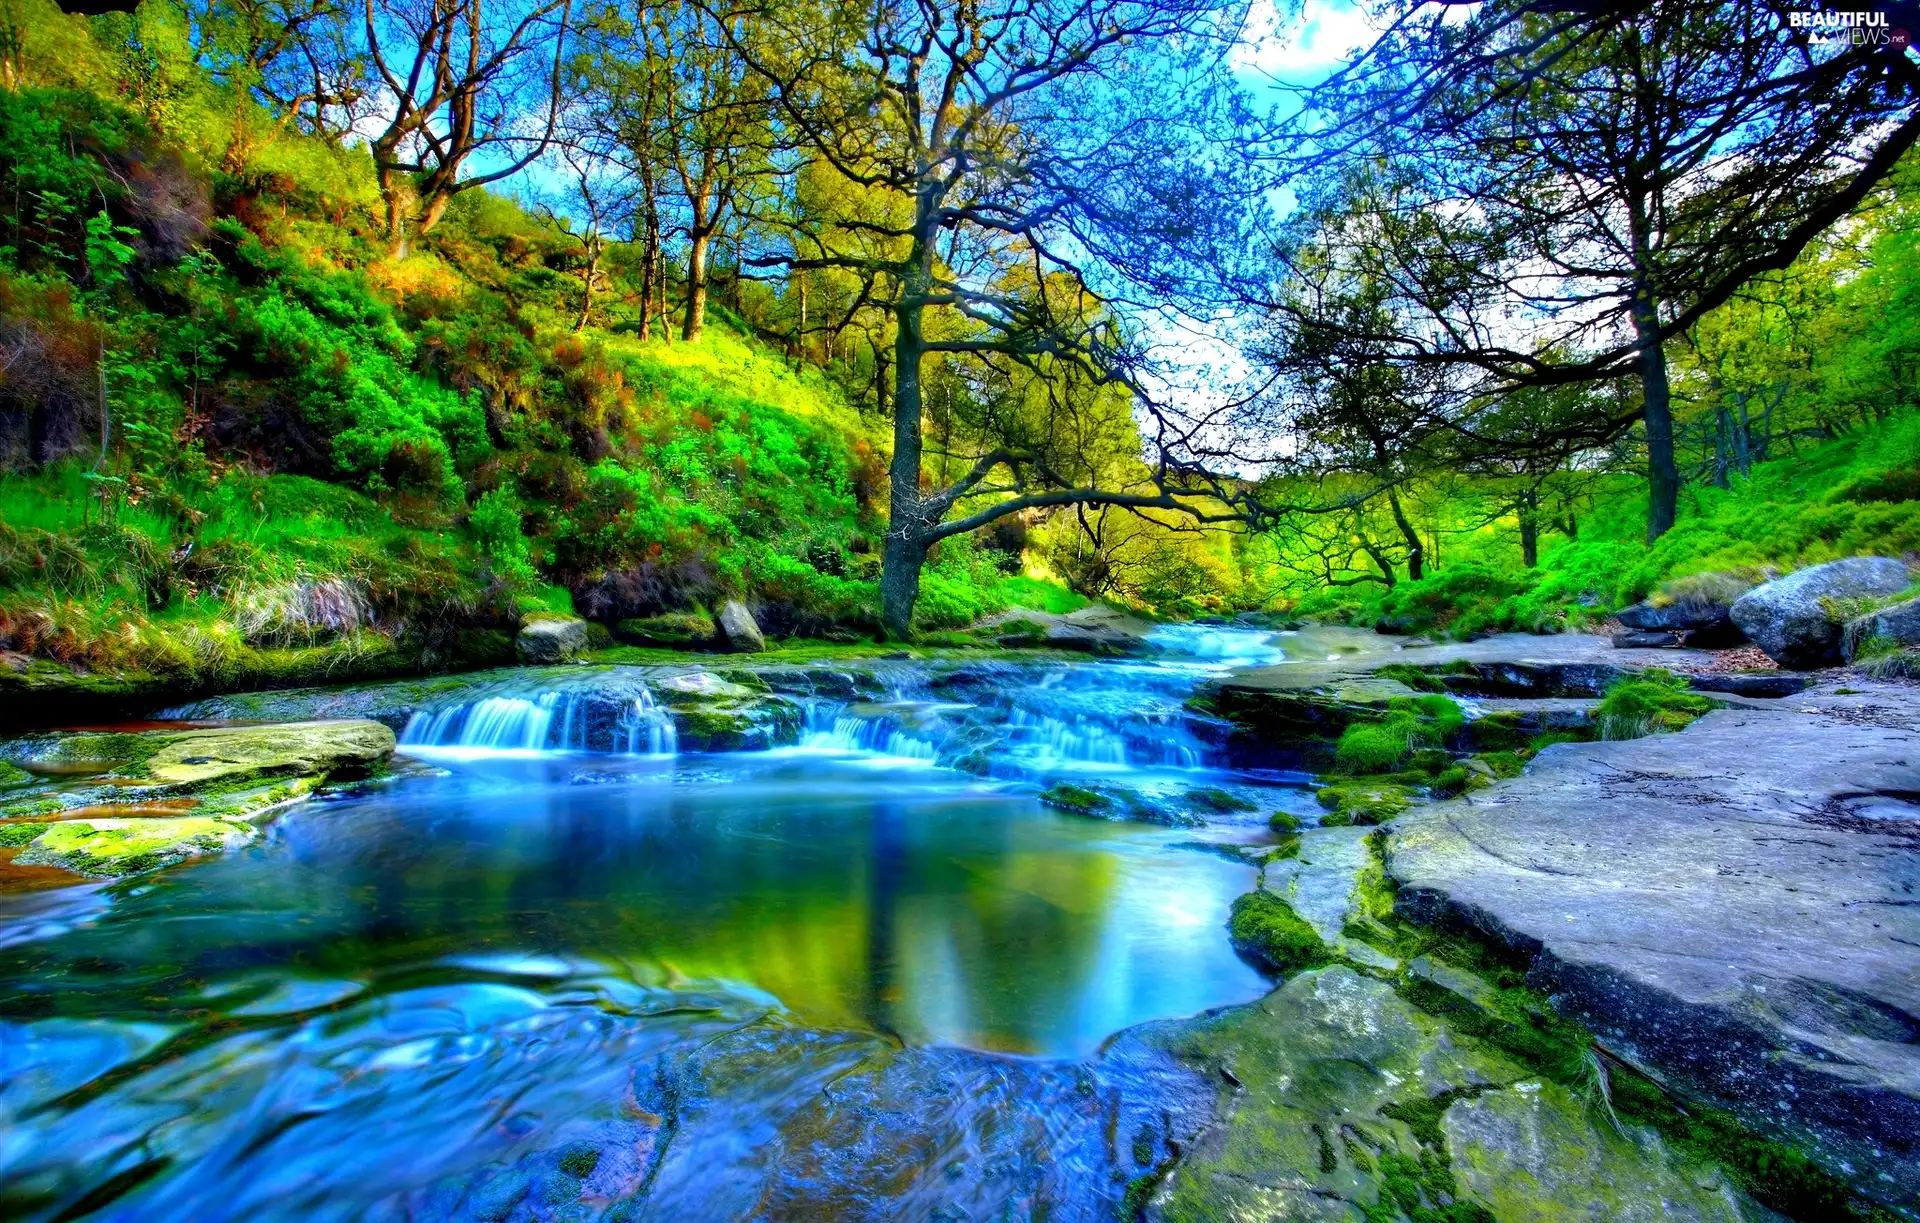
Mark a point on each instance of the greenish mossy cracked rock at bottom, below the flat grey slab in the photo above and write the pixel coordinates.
(1328, 1088)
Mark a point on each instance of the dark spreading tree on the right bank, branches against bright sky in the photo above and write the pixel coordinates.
(1566, 193)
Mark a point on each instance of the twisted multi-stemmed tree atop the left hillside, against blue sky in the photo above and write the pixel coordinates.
(456, 82)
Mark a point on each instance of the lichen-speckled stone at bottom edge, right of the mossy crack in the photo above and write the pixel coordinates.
(1533, 1153)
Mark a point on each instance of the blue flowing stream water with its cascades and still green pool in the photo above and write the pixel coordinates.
(564, 971)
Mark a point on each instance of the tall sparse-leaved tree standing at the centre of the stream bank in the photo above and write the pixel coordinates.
(1015, 172)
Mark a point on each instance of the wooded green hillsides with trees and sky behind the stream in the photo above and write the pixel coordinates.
(375, 333)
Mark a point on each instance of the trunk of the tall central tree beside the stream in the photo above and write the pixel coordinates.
(907, 527)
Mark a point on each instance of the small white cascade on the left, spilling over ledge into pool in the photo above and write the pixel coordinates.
(548, 721)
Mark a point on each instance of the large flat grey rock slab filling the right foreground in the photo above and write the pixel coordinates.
(1735, 907)
